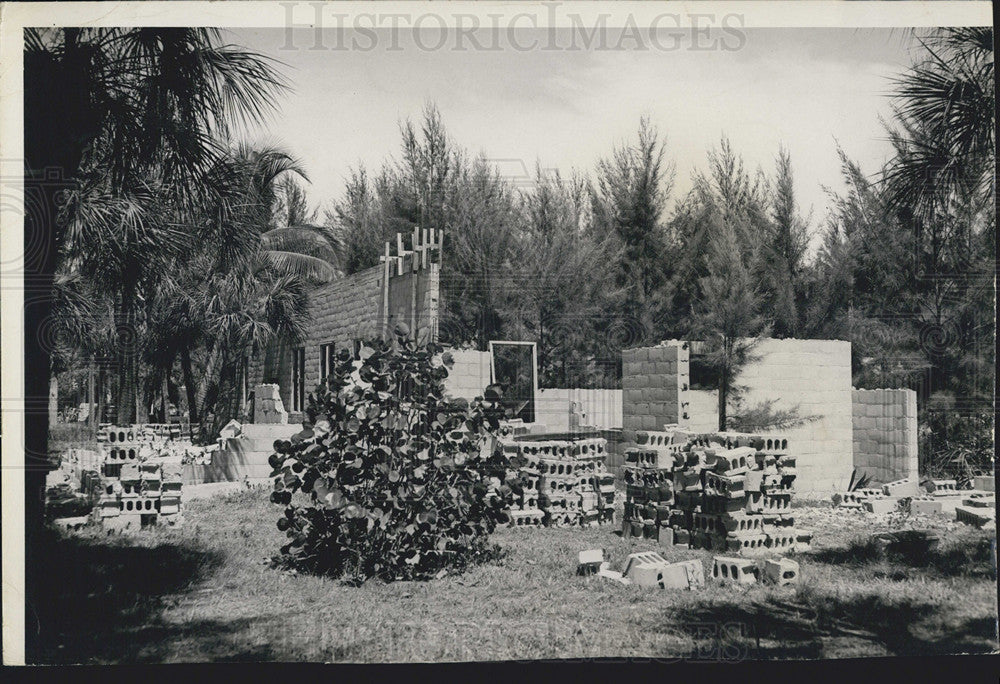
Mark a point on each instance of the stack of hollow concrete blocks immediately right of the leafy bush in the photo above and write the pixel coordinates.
(566, 483)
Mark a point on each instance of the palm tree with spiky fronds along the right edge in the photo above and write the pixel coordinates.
(941, 184)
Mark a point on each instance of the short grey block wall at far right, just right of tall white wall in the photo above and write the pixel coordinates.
(885, 433)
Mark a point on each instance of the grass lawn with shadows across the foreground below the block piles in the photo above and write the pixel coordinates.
(203, 593)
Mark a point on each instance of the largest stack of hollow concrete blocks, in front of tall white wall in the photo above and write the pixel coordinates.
(723, 492)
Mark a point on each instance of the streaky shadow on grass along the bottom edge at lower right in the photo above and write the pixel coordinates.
(824, 626)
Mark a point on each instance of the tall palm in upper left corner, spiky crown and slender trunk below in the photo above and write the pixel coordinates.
(140, 111)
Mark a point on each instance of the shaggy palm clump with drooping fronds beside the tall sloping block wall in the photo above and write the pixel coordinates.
(243, 284)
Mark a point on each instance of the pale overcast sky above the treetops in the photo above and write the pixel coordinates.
(804, 88)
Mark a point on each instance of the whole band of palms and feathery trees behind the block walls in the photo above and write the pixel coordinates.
(180, 254)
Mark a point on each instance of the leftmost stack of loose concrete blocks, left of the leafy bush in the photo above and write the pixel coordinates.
(140, 482)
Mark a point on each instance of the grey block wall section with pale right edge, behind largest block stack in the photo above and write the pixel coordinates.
(655, 386)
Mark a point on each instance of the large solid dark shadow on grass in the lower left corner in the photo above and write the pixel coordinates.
(103, 601)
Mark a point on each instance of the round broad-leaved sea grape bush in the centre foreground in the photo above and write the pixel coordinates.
(389, 478)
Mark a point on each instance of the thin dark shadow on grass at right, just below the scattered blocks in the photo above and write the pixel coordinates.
(965, 558)
